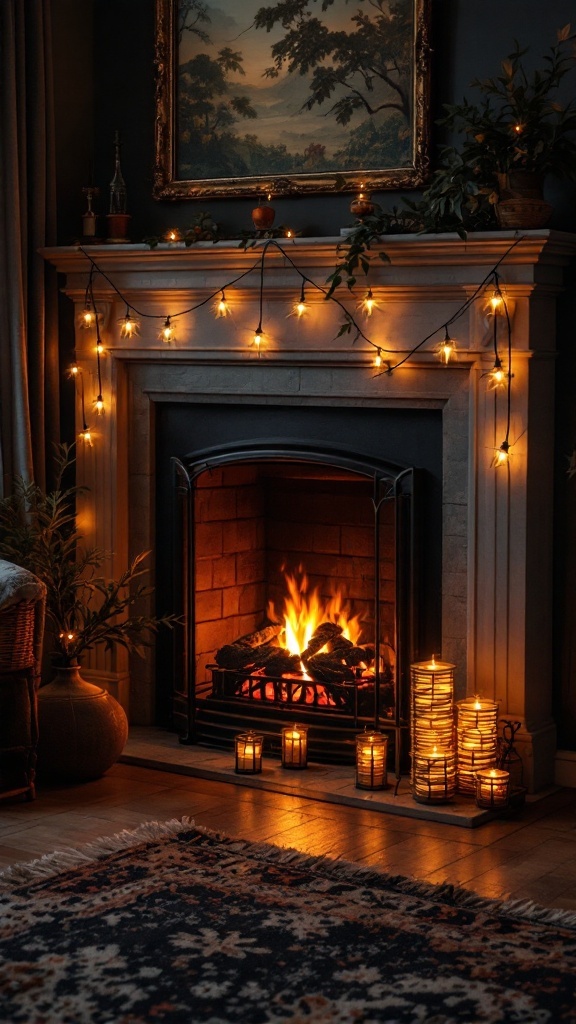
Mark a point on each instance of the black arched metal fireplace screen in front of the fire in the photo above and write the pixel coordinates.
(338, 686)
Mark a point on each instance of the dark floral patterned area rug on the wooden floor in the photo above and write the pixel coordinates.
(174, 923)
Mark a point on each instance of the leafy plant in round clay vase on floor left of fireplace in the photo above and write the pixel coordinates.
(83, 728)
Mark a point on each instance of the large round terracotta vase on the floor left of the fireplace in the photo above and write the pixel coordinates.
(83, 730)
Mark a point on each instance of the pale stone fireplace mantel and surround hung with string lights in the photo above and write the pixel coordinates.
(498, 525)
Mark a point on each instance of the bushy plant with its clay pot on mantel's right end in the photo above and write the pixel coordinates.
(519, 133)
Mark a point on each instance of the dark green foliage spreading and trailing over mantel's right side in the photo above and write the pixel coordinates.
(518, 127)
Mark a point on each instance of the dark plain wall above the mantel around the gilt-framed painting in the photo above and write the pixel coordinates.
(105, 80)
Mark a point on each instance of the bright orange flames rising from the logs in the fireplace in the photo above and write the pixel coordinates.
(304, 612)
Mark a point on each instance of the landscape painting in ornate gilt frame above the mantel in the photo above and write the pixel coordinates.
(292, 98)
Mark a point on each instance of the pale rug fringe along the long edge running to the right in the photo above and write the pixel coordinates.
(522, 910)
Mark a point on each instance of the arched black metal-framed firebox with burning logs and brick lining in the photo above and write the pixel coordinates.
(298, 571)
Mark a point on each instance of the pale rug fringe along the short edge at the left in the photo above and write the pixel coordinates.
(69, 858)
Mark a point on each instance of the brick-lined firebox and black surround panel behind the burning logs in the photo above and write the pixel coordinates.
(269, 502)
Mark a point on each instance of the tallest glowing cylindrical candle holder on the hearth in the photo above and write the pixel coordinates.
(434, 761)
